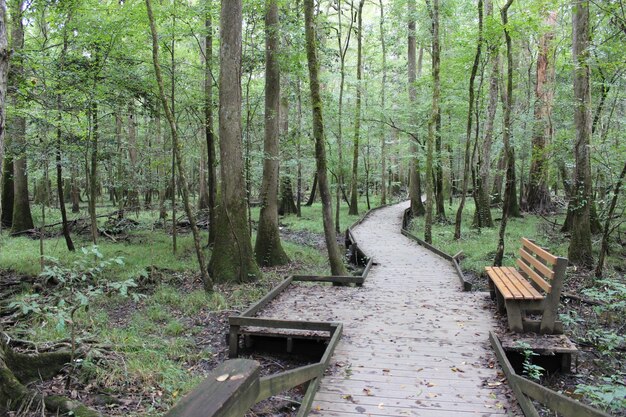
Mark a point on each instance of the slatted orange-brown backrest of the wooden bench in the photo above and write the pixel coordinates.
(540, 266)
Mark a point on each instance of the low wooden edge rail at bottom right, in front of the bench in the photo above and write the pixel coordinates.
(525, 390)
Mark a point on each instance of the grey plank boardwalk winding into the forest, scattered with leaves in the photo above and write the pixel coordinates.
(413, 344)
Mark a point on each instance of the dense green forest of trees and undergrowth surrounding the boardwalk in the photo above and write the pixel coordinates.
(198, 123)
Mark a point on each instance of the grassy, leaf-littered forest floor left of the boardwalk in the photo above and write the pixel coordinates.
(146, 330)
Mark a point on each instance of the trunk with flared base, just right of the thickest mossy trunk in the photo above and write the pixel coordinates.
(268, 248)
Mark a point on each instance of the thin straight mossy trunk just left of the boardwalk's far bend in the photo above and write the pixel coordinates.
(354, 192)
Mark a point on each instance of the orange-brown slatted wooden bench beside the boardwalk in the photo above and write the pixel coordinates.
(535, 287)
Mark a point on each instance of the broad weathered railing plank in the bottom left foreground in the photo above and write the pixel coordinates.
(229, 391)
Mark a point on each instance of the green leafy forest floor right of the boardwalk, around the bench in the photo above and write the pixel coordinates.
(593, 310)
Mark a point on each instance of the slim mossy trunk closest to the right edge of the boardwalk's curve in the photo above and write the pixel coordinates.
(432, 122)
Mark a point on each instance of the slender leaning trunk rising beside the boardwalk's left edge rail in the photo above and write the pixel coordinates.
(336, 263)
